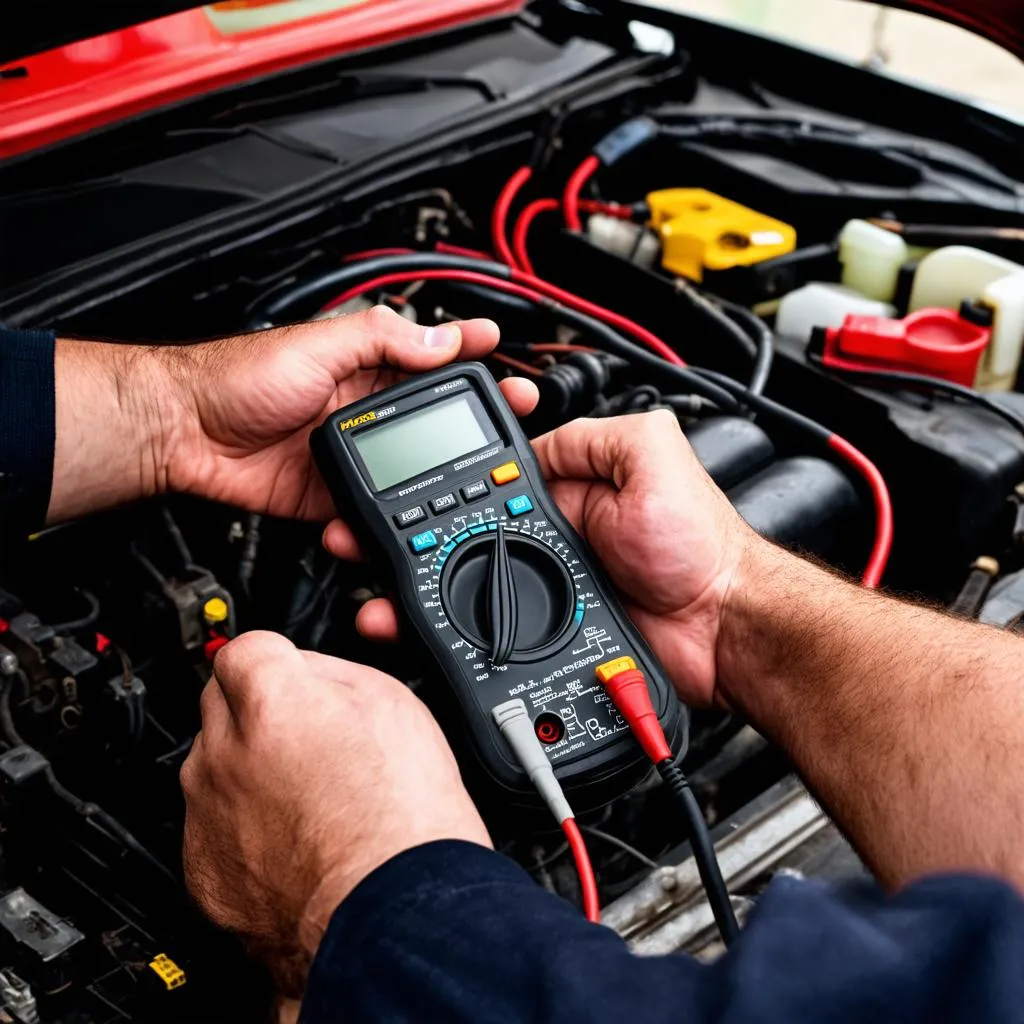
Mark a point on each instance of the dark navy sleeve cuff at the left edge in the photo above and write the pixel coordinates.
(28, 430)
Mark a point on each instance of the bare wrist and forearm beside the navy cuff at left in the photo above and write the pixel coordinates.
(118, 411)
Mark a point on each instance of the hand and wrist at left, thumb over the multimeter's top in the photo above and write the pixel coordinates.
(231, 420)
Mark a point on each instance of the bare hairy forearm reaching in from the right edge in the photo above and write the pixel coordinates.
(907, 723)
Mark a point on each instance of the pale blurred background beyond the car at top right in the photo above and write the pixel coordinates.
(898, 42)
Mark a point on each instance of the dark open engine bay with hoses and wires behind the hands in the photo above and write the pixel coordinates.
(660, 214)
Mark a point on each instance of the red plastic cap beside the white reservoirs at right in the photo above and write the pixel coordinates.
(934, 343)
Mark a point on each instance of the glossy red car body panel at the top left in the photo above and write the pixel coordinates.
(86, 86)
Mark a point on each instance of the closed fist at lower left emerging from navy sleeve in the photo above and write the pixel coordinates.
(308, 775)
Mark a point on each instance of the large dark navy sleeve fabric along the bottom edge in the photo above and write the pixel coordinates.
(455, 933)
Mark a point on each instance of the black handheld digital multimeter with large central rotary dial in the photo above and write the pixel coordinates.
(438, 475)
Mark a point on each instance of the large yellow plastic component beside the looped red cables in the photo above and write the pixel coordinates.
(703, 232)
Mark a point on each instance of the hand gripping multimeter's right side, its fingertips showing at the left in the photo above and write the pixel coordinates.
(636, 478)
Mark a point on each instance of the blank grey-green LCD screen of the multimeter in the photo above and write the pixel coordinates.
(418, 442)
